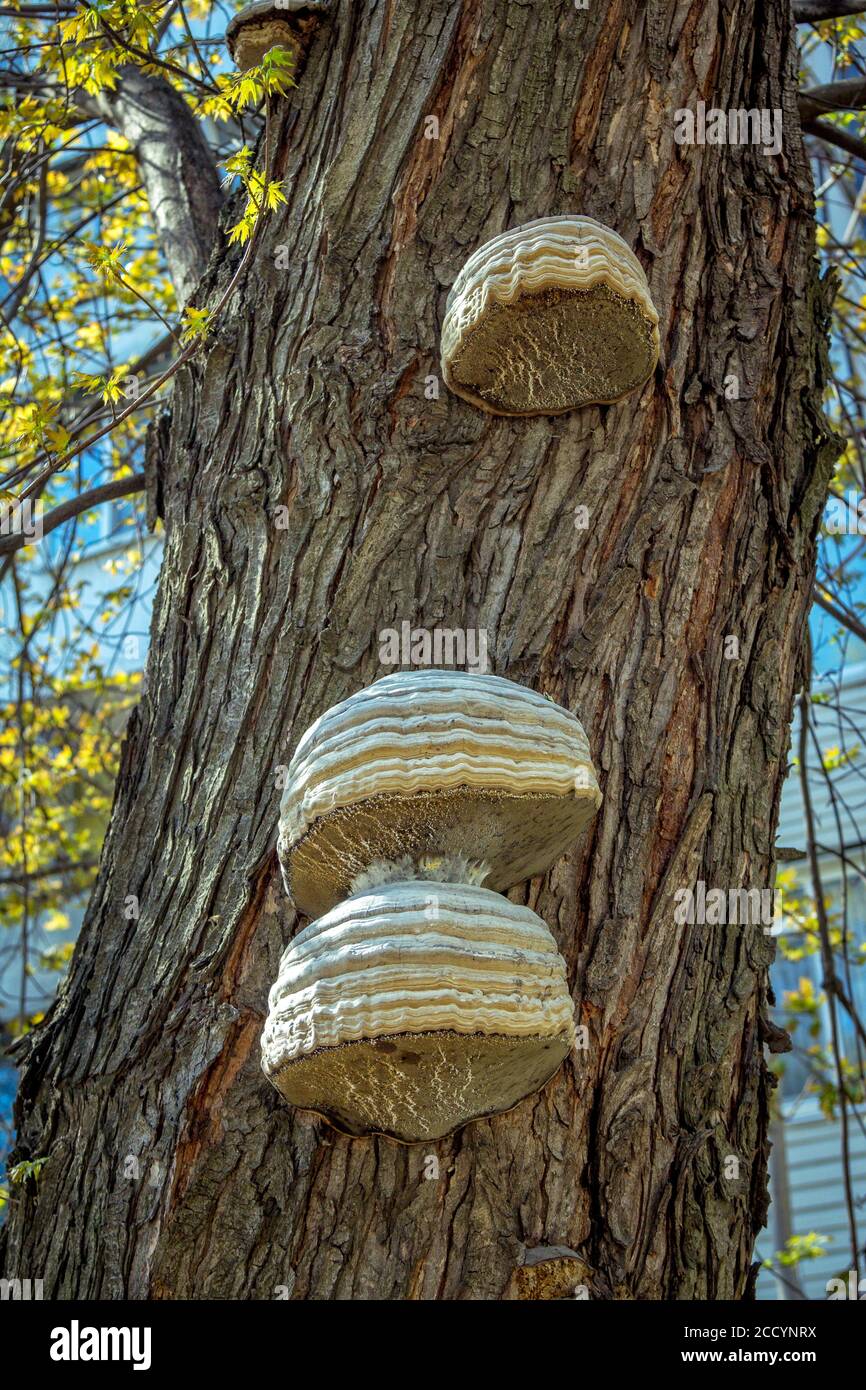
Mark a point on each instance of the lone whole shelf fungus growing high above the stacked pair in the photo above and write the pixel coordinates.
(548, 318)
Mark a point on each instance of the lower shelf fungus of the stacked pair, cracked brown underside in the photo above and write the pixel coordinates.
(415, 1008)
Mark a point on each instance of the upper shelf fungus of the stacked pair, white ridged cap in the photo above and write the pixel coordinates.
(434, 762)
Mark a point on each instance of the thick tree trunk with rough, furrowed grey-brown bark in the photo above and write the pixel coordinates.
(703, 519)
